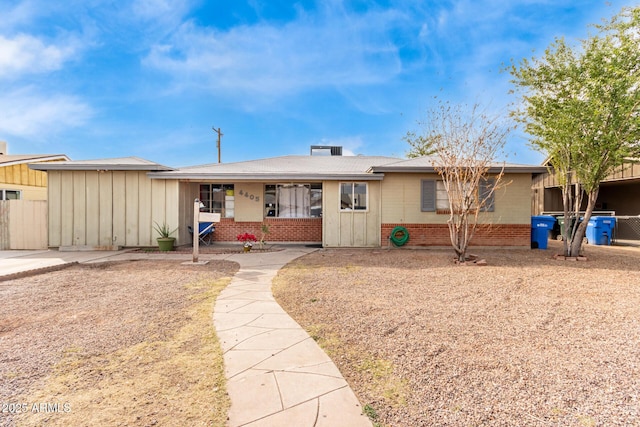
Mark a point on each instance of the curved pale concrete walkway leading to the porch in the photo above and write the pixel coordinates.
(276, 373)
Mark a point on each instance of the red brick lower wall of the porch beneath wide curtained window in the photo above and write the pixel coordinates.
(307, 230)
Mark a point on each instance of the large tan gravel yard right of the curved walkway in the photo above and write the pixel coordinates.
(526, 340)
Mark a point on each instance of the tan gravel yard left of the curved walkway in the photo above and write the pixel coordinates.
(69, 324)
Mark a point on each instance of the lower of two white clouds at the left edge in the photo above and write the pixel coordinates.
(36, 115)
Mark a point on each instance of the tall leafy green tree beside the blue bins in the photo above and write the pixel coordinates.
(581, 105)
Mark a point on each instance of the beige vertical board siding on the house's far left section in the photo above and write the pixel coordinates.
(106, 208)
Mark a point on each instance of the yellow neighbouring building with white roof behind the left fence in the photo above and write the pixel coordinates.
(18, 181)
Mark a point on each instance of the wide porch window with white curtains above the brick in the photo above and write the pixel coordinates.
(293, 200)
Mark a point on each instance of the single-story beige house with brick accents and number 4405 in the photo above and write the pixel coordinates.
(335, 201)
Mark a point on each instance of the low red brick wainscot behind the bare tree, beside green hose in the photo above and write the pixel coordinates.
(438, 235)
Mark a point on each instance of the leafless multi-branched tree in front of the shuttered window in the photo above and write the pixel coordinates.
(466, 142)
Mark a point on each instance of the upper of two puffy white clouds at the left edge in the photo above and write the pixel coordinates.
(25, 54)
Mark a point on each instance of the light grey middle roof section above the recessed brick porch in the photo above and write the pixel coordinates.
(285, 168)
